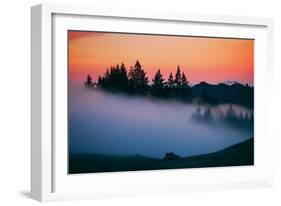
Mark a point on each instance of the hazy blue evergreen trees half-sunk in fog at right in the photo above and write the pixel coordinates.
(229, 117)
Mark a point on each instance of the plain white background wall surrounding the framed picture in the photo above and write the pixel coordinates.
(15, 102)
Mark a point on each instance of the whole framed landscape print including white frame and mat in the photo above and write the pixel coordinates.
(137, 102)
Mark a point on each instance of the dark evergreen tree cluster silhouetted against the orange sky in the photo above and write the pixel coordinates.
(136, 82)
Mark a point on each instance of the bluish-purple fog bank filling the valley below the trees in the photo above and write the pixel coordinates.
(106, 123)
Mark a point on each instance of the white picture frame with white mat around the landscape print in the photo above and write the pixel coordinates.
(49, 180)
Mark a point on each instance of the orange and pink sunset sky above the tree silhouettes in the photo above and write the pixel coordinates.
(212, 60)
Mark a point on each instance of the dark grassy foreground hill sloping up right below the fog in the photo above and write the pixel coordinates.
(236, 155)
